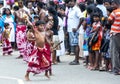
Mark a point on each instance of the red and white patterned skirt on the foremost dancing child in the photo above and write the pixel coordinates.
(40, 60)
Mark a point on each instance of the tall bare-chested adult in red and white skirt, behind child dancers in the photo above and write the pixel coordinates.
(20, 17)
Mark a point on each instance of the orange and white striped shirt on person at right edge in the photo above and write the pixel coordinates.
(115, 17)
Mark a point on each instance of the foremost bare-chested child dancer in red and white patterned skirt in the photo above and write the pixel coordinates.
(40, 57)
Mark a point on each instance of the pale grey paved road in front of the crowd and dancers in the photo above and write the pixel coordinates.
(12, 71)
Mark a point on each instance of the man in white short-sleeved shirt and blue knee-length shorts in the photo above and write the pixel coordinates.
(73, 22)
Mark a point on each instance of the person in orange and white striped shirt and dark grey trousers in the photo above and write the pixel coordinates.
(114, 19)
